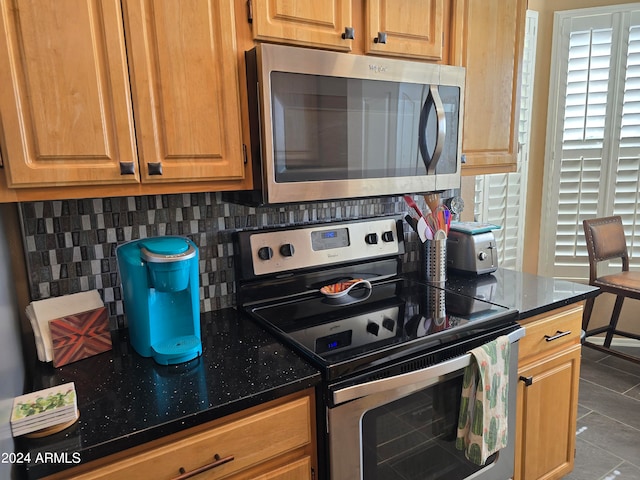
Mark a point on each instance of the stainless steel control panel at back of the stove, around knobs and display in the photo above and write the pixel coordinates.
(305, 256)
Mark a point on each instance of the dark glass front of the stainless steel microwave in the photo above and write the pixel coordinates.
(333, 128)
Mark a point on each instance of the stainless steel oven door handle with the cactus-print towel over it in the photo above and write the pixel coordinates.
(426, 376)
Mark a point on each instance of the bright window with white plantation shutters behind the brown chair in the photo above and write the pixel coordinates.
(592, 161)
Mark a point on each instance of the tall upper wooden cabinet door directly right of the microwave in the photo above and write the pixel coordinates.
(488, 41)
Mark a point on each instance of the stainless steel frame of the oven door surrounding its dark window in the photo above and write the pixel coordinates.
(345, 445)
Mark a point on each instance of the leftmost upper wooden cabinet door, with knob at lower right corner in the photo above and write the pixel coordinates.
(65, 105)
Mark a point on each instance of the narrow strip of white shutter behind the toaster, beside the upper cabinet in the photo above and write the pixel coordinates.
(500, 198)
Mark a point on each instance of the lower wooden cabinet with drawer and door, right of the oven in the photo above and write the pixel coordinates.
(549, 373)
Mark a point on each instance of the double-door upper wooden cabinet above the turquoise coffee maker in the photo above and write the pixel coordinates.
(78, 75)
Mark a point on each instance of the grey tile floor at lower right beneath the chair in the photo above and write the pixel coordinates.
(608, 433)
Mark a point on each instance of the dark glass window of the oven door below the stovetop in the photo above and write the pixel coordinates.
(413, 438)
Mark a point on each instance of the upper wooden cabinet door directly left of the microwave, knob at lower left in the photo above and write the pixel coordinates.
(185, 89)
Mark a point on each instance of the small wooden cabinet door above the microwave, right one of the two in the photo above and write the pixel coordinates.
(411, 28)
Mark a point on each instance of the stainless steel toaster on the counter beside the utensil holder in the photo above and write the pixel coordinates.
(473, 254)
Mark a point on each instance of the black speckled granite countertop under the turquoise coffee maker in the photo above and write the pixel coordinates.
(126, 400)
